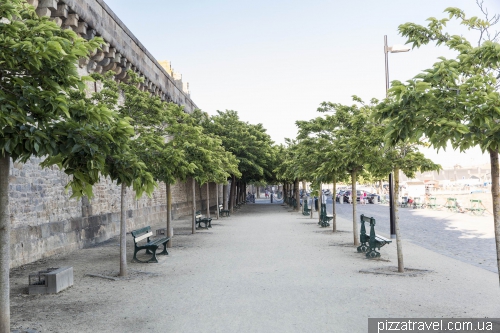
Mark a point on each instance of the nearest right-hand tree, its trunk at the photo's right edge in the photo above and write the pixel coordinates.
(455, 101)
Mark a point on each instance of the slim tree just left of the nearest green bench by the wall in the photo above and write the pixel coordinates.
(126, 163)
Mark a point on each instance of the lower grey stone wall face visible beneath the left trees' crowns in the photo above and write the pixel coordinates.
(45, 221)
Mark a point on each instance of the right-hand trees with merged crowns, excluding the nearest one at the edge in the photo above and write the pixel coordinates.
(348, 143)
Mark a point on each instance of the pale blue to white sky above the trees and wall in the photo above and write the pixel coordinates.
(275, 61)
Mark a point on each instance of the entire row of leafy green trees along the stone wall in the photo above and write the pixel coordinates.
(122, 132)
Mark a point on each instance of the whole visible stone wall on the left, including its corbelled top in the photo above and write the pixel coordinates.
(45, 221)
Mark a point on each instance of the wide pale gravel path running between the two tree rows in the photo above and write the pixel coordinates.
(264, 269)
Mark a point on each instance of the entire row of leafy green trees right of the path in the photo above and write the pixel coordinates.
(455, 102)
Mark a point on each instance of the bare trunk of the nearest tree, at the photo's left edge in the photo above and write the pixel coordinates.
(4, 244)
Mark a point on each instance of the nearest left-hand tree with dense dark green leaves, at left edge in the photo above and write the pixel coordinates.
(38, 117)
